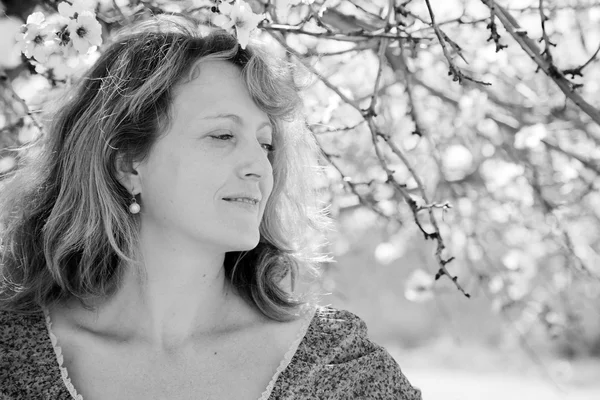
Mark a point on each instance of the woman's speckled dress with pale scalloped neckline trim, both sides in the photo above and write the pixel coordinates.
(331, 358)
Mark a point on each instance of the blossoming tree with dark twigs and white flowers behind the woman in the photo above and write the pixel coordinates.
(473, 124)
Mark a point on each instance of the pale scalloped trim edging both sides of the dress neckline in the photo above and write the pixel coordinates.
(307, 313)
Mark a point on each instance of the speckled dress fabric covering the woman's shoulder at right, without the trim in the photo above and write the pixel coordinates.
(340, 362)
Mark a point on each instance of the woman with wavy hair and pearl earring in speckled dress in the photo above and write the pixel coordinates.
(151, 245)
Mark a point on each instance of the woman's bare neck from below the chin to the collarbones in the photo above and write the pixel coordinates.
(171, 306)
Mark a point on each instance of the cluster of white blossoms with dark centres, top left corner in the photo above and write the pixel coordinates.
(73, 30)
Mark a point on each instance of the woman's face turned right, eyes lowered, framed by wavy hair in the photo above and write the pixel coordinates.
(216, 147)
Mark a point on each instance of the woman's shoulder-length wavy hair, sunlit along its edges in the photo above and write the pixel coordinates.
(65, 226)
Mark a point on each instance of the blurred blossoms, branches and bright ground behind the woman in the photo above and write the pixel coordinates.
(460, 141)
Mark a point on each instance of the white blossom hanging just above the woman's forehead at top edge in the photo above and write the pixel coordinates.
(240, 16)
